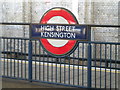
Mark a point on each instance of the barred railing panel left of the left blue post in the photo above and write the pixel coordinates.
(15, 57)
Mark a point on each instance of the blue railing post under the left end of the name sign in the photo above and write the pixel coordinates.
(30, 61)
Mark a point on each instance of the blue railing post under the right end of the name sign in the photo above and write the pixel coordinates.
(89, 76)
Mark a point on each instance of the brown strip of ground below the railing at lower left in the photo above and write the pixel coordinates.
(13, 83)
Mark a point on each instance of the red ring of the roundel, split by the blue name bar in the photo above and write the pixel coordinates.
(70, 19)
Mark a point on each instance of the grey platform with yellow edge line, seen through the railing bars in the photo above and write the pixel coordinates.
(60, 73)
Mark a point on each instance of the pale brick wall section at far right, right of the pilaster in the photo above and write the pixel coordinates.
(106, 13)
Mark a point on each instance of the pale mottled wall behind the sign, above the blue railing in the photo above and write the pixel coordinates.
(86, 11)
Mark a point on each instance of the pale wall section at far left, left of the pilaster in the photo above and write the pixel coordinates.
(12, 12)
